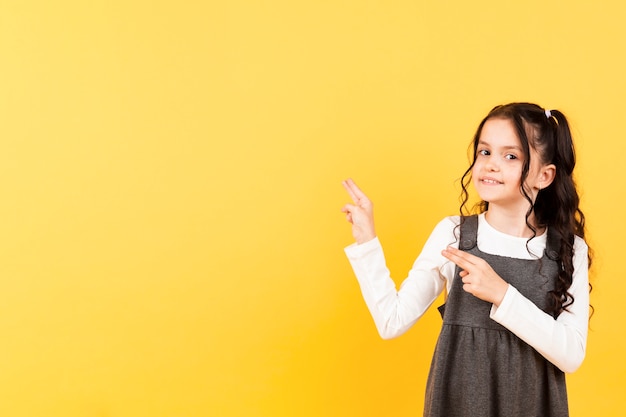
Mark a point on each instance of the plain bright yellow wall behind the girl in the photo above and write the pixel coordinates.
(170, 236)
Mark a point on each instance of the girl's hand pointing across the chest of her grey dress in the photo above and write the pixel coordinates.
(479, 279)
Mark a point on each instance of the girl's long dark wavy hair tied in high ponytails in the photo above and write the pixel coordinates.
(556, 206)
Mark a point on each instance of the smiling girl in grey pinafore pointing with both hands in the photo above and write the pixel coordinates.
(516, 314)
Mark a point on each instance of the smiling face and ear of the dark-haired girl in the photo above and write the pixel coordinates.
(498, 166)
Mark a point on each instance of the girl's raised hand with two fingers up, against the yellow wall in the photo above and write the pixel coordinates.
(360, 214)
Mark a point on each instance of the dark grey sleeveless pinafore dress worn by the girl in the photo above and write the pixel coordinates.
(481, 369)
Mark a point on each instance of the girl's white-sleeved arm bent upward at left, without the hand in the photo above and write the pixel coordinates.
(394, 311)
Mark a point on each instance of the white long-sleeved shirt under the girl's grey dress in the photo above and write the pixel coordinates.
(562, 341)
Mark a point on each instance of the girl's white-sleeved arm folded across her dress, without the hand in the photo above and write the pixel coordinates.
(562, 341)
